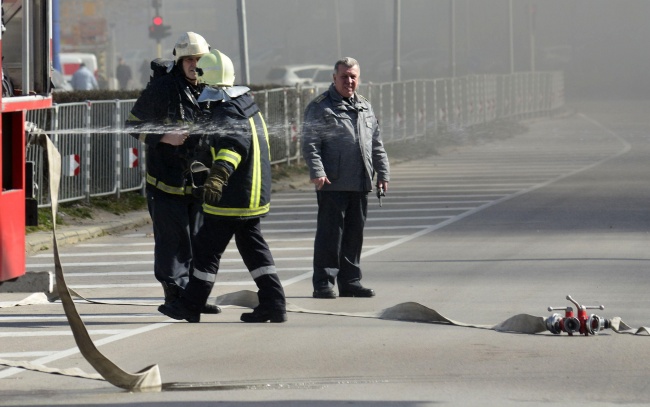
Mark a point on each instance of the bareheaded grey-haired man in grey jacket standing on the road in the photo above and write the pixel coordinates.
(342, 147)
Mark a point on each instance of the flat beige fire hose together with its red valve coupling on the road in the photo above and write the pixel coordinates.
(149, 378)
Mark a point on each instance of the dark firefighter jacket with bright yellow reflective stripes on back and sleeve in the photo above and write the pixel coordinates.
(239, 141)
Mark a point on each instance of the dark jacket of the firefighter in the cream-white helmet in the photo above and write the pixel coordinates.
(167, 102)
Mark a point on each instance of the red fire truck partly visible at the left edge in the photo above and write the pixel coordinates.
(25, 46)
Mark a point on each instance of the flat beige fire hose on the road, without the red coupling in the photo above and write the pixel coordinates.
(149, 377)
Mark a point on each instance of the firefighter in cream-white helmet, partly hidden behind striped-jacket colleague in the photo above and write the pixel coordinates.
(160, 118)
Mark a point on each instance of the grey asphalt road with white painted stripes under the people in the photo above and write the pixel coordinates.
(479, 234)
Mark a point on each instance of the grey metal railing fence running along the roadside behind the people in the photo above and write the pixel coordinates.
(98, 158)
